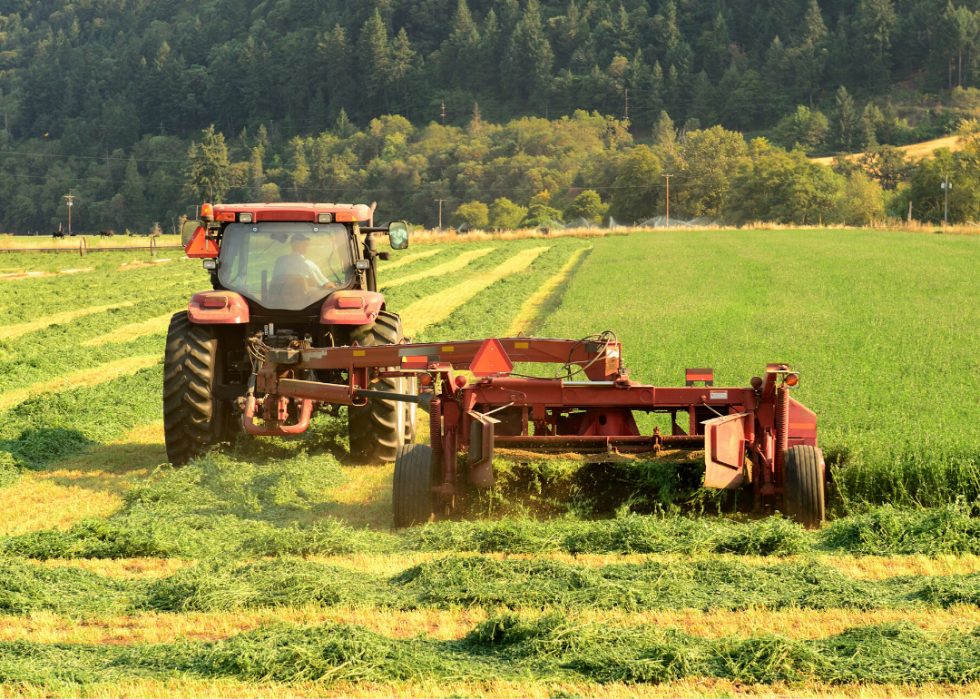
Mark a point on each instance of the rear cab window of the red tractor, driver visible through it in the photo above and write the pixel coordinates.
(285, 265)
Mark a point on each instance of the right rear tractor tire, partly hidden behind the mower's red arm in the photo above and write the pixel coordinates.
(377, 429)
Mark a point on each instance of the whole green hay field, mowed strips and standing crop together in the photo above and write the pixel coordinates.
(268, 567)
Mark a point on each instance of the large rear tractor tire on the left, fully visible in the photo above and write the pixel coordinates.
(191, 416)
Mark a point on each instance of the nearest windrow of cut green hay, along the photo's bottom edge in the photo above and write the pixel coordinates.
(549, 648)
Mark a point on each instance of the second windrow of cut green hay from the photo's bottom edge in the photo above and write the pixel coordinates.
(468, 582)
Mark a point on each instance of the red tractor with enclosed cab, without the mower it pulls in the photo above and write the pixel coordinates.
(305, 277)
